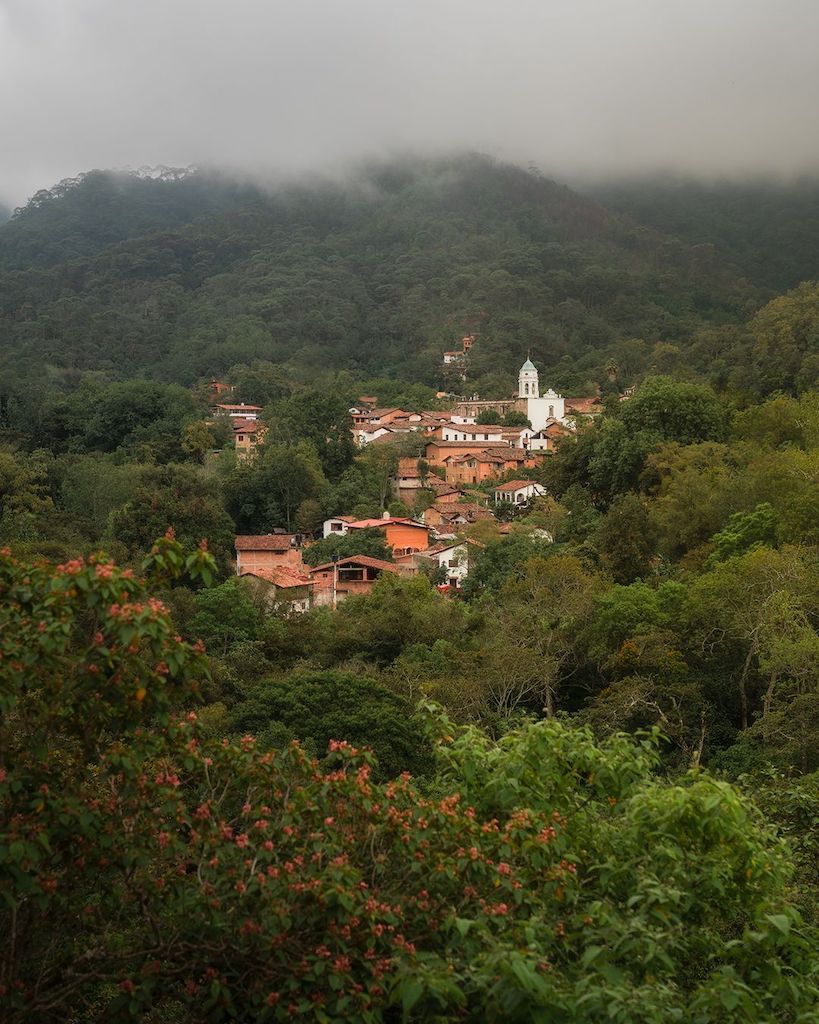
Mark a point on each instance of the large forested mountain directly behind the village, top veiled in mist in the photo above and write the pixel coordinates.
(186, 276)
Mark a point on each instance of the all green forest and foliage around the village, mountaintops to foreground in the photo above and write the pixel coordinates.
(586, 788)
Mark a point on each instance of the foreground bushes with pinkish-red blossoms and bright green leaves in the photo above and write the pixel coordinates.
(543, 878)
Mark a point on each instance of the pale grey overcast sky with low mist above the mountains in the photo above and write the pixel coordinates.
(577, 87)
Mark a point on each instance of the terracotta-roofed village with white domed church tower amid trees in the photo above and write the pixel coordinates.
(466, 472)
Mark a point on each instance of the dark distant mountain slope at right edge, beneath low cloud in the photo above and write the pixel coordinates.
(767, 230)
